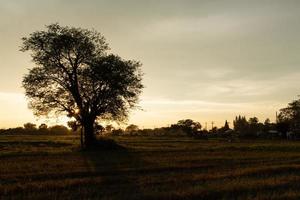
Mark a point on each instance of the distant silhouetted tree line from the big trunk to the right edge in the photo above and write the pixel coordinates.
(286, 126)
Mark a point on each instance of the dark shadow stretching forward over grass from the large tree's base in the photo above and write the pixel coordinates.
(113, 168)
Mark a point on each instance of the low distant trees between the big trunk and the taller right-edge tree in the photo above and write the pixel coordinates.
(188, 127)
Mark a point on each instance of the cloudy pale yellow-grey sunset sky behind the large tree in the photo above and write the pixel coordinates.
(207, 60)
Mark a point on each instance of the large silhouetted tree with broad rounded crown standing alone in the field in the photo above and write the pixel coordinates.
(75, 75)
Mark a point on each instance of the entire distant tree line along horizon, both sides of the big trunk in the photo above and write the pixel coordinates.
(287, 126)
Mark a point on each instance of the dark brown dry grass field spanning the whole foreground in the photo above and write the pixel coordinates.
(53, 167)
